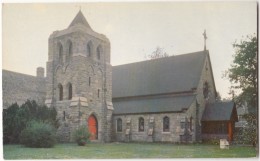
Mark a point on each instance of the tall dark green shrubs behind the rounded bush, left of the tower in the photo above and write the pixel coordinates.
(15, 119)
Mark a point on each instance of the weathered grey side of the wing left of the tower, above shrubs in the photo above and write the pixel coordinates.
(19, 87)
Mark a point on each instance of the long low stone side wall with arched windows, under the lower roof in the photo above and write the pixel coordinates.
(174, 134)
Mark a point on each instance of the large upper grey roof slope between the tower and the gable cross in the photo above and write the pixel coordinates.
(165, 75)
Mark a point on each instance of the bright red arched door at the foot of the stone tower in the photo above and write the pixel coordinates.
(93, 127)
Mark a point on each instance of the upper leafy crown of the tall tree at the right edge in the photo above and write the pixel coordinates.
(243, 71)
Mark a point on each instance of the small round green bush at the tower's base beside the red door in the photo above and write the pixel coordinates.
(81, 135)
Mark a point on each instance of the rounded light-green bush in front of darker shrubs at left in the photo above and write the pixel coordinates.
(38, 134)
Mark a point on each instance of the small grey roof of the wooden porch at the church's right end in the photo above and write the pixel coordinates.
(219, 111)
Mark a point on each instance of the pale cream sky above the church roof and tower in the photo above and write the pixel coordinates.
(134, 30)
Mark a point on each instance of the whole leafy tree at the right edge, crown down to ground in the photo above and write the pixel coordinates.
(243, 75)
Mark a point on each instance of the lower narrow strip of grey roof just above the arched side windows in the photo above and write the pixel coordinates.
(153, 105)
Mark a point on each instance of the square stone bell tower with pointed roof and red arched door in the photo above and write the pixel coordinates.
(79, 80)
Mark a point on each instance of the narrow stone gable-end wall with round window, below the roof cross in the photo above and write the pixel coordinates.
(206, 75)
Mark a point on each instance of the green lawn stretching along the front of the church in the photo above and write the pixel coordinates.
(124, 150)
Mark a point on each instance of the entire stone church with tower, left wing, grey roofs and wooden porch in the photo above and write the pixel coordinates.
(170, 99)
